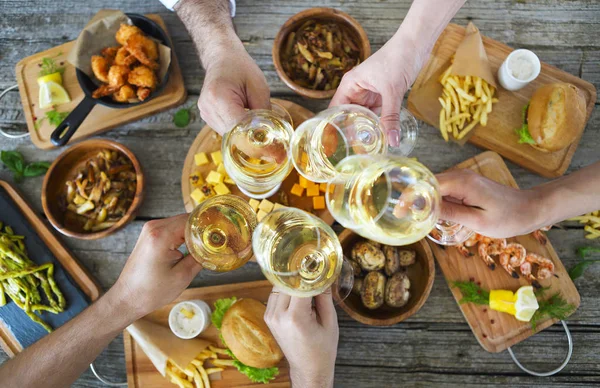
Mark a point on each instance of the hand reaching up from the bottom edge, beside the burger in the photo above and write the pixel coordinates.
(307, 335)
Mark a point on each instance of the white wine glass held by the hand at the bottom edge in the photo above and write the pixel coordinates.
(301, 254)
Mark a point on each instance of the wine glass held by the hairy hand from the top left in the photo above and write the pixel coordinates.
(256, 151)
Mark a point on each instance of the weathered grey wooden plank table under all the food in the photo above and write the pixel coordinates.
(434, 347)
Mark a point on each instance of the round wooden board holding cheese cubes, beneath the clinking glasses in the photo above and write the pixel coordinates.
(209, 141)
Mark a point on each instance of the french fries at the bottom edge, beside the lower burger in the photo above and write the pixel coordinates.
(195, 375)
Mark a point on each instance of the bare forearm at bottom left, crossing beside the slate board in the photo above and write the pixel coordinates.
(58, 359)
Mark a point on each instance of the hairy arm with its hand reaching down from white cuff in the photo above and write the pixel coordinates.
(232, 81)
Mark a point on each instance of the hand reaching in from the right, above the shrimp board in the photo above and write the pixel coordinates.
(487, 207)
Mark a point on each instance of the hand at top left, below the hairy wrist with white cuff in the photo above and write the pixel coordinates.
(232, 83)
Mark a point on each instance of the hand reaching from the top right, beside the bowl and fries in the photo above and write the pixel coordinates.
(380, 82)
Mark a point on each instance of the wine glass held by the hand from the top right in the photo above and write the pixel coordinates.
(320, 143)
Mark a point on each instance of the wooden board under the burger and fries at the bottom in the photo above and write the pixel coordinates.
(142, 373)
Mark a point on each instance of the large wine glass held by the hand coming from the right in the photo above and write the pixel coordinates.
(389, 199)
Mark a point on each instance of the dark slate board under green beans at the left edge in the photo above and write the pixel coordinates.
(25, 331)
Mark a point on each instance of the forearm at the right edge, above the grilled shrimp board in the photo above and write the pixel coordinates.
(569, 196)
